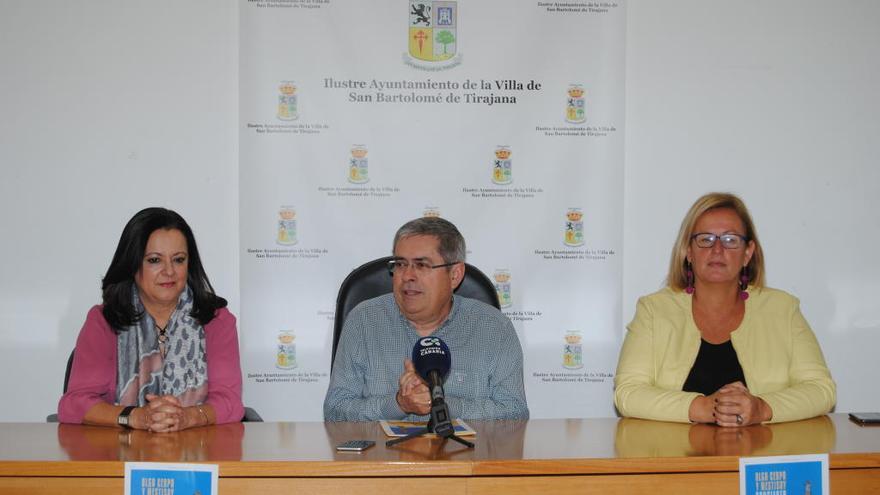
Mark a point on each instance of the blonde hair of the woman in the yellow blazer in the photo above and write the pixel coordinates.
(677, 277)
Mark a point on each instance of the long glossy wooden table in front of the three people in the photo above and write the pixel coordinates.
(557, 456)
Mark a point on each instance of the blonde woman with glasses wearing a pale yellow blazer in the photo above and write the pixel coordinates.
(715, 345)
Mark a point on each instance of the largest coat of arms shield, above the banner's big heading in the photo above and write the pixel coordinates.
(432, 30)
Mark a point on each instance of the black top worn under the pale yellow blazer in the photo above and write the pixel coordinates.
(715, 367)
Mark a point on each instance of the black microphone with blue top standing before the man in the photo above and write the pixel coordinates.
(432, 360)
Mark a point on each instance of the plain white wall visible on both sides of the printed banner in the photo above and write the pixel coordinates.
(109, 107)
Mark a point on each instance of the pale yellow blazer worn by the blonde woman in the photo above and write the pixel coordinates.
(778, 352)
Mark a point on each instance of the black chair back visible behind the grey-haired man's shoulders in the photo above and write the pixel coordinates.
(372, 279)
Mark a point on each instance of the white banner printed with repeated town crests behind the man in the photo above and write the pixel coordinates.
(503, 117)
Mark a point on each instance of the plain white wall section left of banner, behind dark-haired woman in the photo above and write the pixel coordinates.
(105, 108)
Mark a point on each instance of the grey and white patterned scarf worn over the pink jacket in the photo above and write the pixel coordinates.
(140, 367)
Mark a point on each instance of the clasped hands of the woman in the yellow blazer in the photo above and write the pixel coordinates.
(731, 405)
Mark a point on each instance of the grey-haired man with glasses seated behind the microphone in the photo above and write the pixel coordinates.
(373, 377)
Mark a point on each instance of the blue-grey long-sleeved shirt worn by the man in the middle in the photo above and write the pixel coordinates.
(484, 382)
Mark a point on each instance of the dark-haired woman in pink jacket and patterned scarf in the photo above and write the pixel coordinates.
(161, 352)
